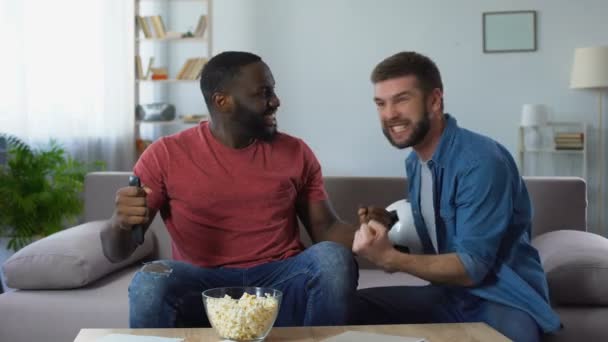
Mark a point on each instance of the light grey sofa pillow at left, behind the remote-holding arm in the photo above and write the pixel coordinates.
(68, 259)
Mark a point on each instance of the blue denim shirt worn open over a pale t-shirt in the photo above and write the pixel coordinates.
(483, 213)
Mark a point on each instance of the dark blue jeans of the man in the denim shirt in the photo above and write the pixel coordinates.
(438, 304)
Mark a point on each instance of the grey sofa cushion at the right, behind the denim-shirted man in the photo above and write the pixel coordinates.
(576, 264)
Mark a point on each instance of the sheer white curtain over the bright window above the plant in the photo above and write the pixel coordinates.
(67, 71)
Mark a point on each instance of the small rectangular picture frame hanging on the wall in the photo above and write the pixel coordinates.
(509, 31)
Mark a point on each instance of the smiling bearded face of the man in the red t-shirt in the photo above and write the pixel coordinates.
(255, 102)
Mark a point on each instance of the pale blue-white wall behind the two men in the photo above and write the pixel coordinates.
(322, 51)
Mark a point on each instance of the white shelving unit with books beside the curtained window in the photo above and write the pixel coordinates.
(171, 37)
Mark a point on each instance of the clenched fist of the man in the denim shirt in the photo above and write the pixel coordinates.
(371, 242)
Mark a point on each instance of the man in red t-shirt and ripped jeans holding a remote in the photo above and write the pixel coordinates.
(230, 191)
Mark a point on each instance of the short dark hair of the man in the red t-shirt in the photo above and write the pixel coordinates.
(221, 69)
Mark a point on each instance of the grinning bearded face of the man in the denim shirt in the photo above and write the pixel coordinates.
(402, 106)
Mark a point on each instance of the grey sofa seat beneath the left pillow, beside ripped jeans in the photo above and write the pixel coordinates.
(58, 315)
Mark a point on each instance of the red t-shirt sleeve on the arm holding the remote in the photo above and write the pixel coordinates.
(151, 168)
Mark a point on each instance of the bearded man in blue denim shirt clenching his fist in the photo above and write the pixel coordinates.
(472, 214)
